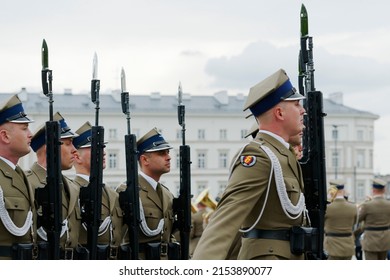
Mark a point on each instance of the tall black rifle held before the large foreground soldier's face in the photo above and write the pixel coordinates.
(313, 160)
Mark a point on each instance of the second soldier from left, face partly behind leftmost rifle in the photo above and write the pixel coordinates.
(71, 214)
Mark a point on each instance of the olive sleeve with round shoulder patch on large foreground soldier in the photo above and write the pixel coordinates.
(246, 185)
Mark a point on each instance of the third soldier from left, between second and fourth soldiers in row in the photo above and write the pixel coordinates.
(110, 231)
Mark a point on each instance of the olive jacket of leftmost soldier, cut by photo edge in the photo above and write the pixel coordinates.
(18, 197)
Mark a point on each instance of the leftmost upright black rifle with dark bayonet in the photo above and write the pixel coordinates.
(50, 196)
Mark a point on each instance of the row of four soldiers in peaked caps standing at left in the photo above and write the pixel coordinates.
(22, 235)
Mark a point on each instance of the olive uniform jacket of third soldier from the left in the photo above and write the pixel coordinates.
(110, 235)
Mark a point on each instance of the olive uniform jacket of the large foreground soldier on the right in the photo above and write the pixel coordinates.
(243, 199)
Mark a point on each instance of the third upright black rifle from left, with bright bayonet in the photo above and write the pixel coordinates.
(129, 199)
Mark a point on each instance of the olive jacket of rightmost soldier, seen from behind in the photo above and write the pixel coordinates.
(375, 213)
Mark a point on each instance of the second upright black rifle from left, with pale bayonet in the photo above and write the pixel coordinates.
(91, 196)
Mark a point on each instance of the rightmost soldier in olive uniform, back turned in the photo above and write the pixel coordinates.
(375, 217)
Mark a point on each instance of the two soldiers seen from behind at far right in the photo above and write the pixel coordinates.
(351, 229)
